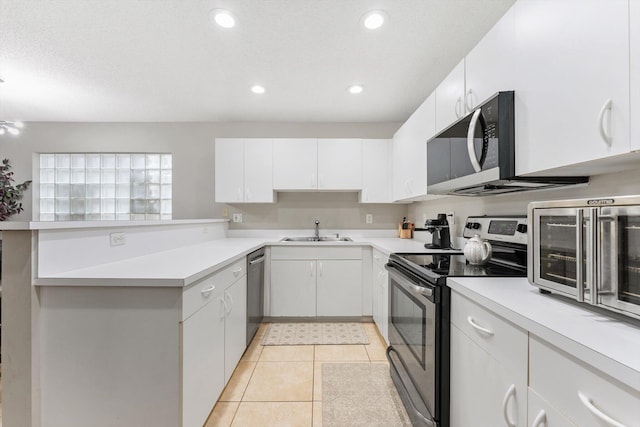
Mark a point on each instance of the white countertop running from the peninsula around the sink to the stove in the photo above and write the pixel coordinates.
(185, 265)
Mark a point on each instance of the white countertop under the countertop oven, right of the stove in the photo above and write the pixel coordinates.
(602, 339)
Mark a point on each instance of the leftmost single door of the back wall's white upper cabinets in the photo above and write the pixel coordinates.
(229, 170)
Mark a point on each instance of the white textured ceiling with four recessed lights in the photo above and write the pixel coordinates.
(162, 60)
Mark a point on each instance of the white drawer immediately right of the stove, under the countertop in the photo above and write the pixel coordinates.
(503, 340)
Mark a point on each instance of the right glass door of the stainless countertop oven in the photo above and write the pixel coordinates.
(619, 251)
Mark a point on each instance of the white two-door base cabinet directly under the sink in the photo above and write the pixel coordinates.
(314, 281)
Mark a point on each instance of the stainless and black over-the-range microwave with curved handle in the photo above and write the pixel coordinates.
(475, 156)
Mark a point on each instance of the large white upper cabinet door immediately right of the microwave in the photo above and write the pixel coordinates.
(572, 64)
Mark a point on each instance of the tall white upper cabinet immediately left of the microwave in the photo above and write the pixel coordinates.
(410, 152)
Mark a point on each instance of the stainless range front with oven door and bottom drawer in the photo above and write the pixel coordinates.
(412, 339)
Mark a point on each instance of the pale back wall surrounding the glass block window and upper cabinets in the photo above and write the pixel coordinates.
(192, 145)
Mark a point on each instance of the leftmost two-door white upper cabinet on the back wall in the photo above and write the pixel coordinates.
(243, 171)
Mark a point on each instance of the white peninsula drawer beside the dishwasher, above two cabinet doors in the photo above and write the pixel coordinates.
(200, 293)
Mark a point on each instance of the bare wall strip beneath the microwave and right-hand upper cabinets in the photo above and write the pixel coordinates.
(614, 184)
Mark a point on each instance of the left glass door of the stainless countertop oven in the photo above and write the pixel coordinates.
(563, 244)
